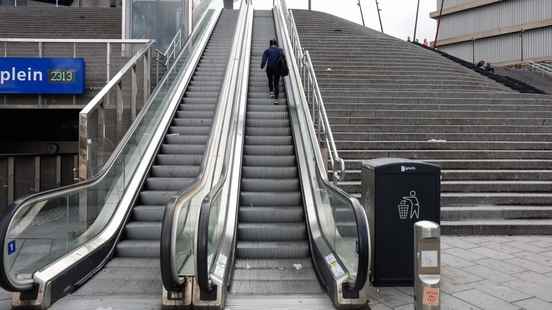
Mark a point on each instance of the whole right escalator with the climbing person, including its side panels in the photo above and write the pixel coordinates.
(275, 231)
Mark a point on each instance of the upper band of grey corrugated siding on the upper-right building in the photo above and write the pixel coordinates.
(487, 18)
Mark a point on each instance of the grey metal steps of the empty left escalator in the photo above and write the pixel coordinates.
(134, 270)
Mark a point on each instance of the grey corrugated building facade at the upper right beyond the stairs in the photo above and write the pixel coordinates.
(503, 32)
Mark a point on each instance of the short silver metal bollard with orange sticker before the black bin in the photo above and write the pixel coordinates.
(427, 265)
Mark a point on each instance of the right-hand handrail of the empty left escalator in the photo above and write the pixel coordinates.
(170, 276)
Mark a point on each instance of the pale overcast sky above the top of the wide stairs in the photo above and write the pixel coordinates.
(398, 16)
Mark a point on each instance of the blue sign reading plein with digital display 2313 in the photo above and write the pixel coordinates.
(42, 75)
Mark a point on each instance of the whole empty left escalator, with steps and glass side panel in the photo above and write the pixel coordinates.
(99, 240)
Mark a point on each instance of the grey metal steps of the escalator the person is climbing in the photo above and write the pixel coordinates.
(273, 255)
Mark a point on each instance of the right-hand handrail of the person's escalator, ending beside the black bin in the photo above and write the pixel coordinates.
(363, 230)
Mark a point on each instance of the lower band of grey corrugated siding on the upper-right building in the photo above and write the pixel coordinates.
(536, 44)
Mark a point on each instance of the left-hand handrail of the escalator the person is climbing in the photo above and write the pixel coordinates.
(202, 252)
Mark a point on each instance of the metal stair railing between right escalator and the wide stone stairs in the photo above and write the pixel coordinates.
(315, 101)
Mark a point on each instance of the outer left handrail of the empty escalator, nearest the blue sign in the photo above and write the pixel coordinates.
(32, 199)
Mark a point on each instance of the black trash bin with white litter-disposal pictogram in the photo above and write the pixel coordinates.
(397, 193)
